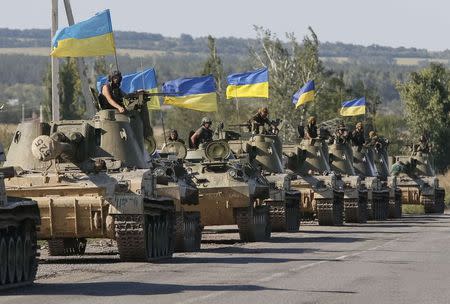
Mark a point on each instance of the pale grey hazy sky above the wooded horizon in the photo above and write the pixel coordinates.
(413, 23)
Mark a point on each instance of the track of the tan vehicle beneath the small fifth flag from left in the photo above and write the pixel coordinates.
(330, 212)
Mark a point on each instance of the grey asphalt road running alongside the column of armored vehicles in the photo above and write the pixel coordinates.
(401, 261)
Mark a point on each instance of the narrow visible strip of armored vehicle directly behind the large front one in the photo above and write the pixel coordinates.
(178, 184)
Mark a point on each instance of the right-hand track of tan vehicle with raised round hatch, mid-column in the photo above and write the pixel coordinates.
(253, 223)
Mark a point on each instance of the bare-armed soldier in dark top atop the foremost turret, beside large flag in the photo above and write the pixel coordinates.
(111, 96)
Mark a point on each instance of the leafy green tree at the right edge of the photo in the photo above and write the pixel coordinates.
(425, 95)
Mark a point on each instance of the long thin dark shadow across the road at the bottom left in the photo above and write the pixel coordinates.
(109, 289)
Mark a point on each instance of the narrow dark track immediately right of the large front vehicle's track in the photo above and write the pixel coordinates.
(188, 232)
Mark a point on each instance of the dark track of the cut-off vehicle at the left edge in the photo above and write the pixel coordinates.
(18, 269)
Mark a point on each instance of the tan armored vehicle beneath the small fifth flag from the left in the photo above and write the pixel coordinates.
(322, 192)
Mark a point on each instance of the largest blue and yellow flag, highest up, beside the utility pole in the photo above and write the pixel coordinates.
(92, 37)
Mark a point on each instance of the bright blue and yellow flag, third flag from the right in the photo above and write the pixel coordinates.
(248, 84)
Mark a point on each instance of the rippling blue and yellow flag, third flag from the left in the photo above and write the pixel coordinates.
(196, 93)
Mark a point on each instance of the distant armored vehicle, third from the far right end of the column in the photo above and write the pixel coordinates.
(378, 192)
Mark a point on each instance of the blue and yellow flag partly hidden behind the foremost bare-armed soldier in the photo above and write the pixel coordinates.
(145, 80)
